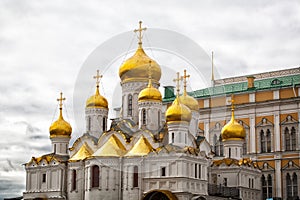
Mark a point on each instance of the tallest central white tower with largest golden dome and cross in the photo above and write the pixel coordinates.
(134, 77)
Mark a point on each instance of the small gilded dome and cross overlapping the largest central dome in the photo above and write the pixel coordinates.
(150, 93)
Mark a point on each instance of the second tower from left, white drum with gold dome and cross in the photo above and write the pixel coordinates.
(96, 111)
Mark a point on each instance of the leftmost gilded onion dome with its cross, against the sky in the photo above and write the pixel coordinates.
(60, 128)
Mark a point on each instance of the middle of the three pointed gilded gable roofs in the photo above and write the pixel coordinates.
(113, 147)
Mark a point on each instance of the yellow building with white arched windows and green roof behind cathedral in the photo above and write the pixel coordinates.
(268, 106)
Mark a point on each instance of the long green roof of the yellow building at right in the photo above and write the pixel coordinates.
(262, 84)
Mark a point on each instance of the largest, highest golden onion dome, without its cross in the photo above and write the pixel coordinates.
(136, 68)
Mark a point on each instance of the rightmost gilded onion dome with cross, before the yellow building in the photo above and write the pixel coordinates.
(233, 130)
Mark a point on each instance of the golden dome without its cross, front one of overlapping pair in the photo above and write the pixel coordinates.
(178, 112)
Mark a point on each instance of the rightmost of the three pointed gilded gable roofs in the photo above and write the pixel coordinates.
(141, 148)
